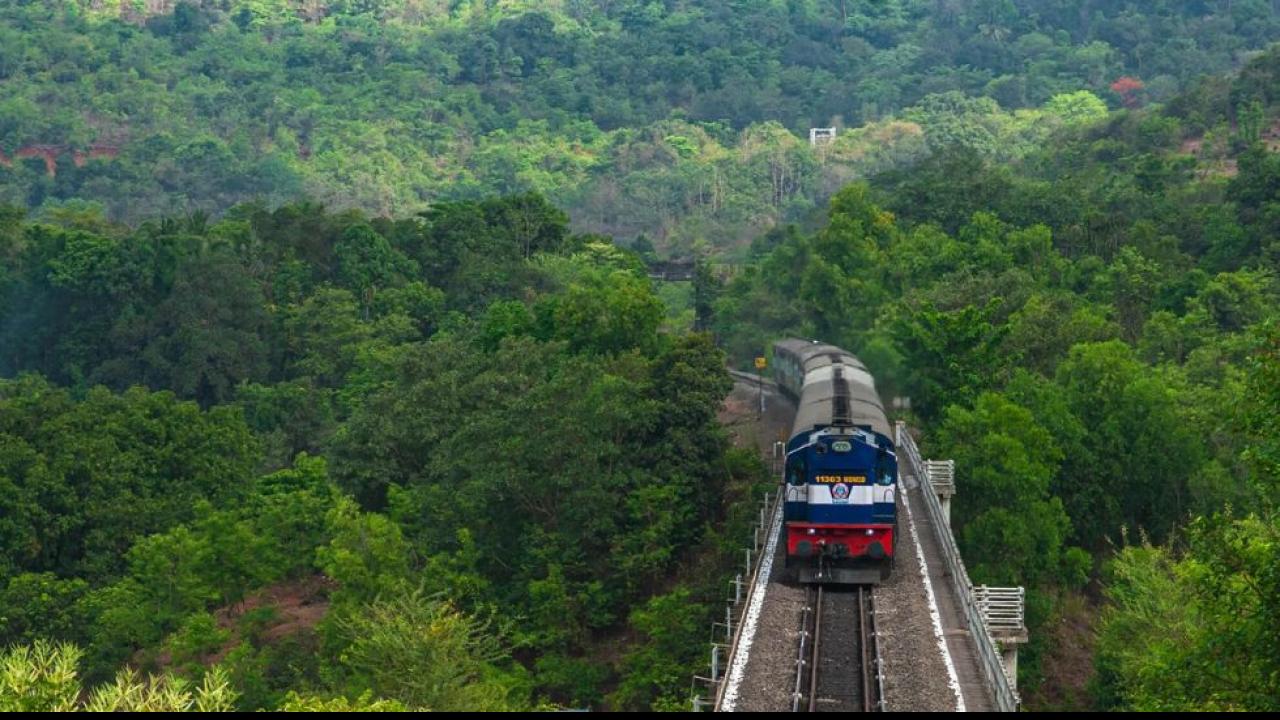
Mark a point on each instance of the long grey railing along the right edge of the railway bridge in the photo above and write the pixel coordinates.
(989, 655)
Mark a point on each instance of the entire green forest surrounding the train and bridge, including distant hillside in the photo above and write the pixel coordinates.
(332, 376)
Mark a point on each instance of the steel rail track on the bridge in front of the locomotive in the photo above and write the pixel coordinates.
(838, 659)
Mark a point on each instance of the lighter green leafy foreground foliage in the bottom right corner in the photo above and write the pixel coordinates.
(1215, 599)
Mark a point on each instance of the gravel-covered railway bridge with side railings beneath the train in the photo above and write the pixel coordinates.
(927, 640)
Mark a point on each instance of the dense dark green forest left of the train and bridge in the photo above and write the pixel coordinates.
(519, 455)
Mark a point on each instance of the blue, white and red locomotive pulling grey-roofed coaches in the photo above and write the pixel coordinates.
(840, 479)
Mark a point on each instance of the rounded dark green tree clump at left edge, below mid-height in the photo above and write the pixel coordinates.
(83, 481)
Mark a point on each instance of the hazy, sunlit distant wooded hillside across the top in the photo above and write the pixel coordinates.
(685, 121)
